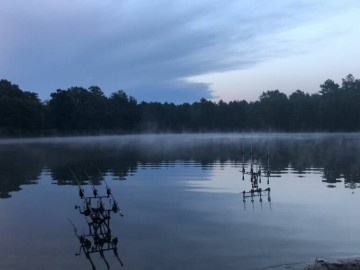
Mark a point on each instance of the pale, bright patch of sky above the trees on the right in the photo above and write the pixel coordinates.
(312, 52)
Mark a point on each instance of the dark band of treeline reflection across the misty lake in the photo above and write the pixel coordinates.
(337, 157)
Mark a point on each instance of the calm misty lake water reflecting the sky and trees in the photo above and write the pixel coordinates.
(182, 200)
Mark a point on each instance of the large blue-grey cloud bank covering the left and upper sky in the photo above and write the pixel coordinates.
(146, 48)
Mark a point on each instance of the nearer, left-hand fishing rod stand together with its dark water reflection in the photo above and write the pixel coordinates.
(97, 213)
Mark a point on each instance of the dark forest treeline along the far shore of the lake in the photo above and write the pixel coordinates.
(80, 111)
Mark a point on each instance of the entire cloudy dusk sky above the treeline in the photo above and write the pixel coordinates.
(179, 51)
